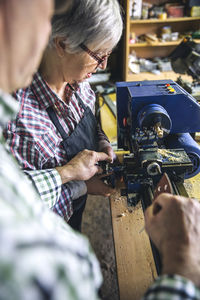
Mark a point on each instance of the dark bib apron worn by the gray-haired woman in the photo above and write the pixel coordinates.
(83, 137)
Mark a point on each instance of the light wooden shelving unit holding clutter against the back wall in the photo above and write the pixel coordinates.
(148, 50)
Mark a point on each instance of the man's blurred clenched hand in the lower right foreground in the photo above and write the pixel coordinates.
(175, 230)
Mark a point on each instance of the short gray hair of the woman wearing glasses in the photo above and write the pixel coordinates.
(89, 22)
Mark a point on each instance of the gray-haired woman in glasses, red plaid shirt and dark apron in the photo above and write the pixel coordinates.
(56, 119)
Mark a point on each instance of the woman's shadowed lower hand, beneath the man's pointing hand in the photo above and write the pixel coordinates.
(95, 186)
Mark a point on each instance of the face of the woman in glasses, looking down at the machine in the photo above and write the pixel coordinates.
(79, 67)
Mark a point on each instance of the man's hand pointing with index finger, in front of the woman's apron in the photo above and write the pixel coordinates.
(83, 166)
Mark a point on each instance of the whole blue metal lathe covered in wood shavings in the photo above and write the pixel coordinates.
(155, 122)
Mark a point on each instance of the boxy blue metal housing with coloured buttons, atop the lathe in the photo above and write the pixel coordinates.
(183, 109)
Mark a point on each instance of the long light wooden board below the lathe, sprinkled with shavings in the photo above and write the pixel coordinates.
(135, 265)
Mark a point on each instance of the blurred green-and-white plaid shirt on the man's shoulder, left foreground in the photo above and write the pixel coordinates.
(41, 257)
